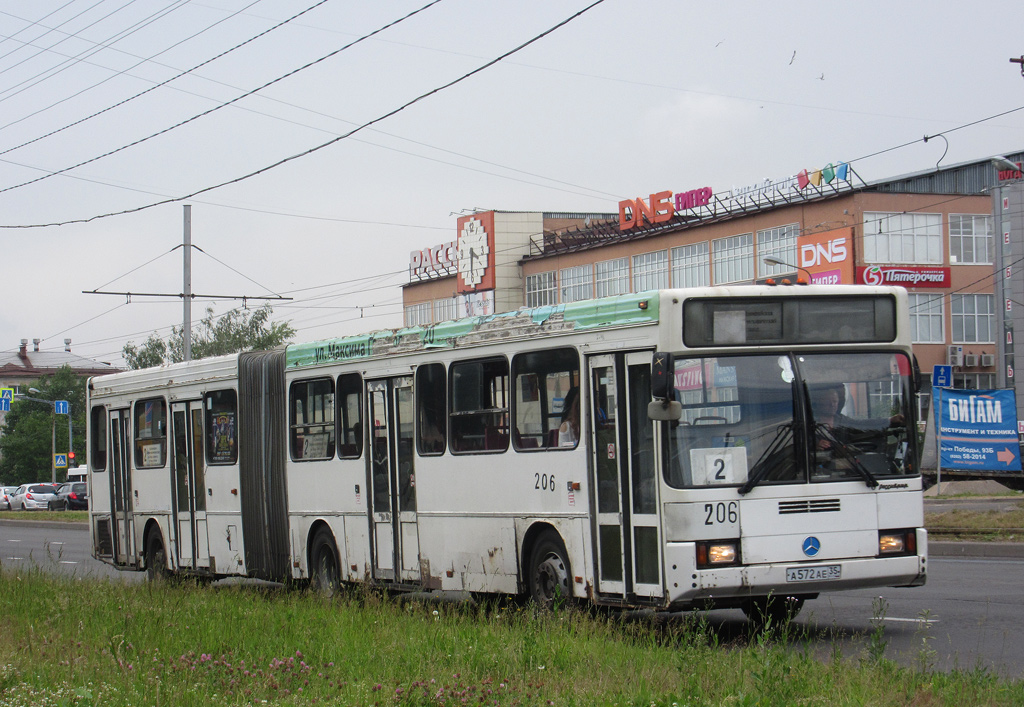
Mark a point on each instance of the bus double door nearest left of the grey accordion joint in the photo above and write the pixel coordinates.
(189, 486)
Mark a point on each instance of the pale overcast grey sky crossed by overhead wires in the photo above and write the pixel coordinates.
(116, 114)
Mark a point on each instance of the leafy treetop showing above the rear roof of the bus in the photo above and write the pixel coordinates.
(239, 330)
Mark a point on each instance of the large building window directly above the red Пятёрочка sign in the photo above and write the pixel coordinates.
(913, 238)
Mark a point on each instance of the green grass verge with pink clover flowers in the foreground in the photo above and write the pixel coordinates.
(90, 643)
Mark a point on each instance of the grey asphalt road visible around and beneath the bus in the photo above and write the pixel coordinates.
(967, 616)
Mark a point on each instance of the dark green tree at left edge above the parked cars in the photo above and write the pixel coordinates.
(29, 429)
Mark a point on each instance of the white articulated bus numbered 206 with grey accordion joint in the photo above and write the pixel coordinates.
(723, 447)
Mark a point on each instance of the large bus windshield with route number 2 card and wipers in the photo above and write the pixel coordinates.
(771, 420)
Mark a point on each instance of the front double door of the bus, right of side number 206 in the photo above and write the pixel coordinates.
(629, 556)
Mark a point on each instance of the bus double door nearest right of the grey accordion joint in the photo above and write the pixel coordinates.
(393, 484)
